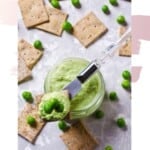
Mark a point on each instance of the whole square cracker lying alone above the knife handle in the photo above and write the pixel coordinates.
(88, 29)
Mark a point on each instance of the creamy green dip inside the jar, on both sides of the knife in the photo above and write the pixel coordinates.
(67, 71)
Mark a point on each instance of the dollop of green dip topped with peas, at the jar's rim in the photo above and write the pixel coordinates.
(54, 106)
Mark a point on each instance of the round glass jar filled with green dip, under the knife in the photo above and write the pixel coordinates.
(89, 99)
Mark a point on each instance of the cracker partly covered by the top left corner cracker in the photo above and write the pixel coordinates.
(56, 19)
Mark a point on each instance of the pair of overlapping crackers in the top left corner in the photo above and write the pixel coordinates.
(36, 14)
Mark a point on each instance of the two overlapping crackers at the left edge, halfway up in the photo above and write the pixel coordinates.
(27, 58)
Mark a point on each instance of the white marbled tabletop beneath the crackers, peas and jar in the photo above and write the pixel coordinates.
(58, 48)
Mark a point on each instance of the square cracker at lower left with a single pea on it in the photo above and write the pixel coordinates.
(25, 130)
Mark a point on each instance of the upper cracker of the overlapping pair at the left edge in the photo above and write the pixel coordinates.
(30, 54)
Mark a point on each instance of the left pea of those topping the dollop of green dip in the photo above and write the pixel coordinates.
(50, 105)
